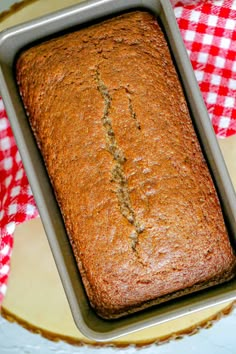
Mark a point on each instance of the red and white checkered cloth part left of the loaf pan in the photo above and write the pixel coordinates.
(16, 201)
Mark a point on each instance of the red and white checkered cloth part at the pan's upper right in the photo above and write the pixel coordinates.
(209, 33)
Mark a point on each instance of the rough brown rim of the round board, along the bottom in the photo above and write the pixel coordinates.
(204, 324)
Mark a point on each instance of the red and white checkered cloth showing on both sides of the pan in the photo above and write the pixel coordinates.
(209, 32)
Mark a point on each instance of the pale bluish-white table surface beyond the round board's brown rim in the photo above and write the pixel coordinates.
(219, 339)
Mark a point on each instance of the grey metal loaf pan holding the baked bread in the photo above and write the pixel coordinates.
(14, 40)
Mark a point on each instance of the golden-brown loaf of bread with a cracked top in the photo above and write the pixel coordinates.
(140, 208)
